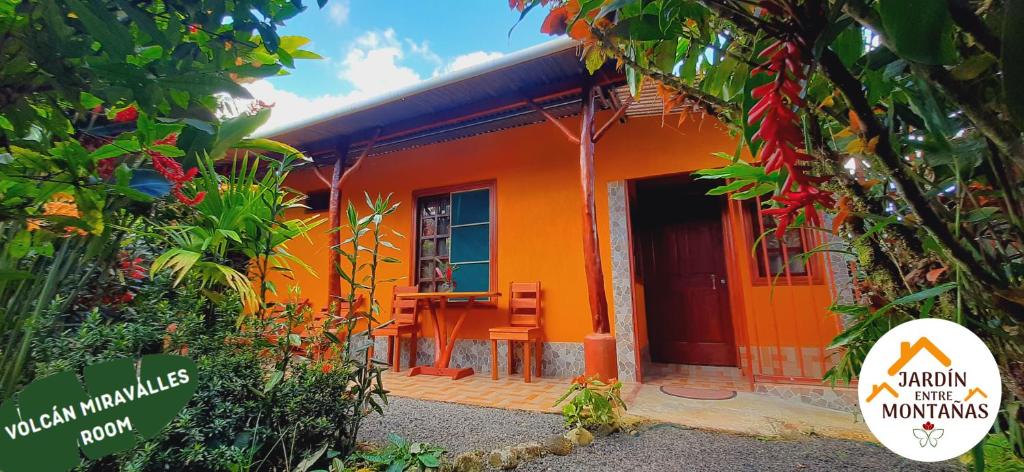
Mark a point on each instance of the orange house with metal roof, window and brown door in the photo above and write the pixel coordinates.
(690, 295)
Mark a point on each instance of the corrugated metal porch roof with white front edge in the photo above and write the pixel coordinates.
(477, 101)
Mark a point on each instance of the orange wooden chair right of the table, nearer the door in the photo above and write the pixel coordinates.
(525, 318)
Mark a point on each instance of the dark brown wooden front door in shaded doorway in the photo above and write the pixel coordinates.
(682, 251)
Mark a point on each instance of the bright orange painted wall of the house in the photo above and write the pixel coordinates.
(539, 228)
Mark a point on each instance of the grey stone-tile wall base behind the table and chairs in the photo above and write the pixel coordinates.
(561, 360)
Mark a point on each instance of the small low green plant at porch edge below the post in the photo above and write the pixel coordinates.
(592, 403)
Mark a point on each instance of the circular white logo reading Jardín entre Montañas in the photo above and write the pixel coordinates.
(930, 391)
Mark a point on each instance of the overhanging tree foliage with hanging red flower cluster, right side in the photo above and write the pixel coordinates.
(900, 120)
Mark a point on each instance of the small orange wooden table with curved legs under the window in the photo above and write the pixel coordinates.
(445, 340)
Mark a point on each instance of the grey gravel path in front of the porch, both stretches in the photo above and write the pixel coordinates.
(459, 428)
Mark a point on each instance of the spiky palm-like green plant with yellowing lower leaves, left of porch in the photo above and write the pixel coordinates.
(241, 225)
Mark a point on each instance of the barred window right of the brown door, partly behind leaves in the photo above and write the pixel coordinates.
(770, 251)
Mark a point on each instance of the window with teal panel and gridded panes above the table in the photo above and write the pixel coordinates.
(456, 228)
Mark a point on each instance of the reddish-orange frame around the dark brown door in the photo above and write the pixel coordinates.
(731, 226)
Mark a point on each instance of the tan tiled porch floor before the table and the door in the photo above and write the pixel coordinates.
(748, 413)
